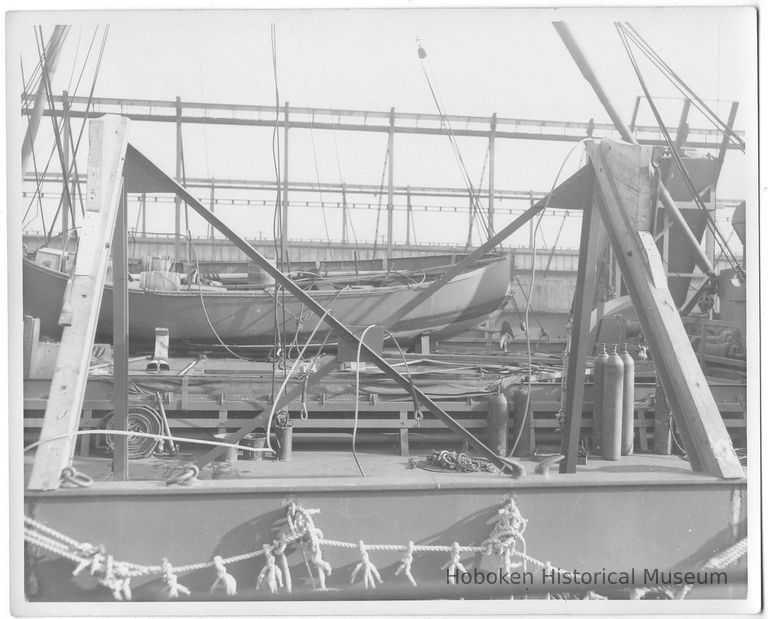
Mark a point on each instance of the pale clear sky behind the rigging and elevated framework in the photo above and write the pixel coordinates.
(480, 61)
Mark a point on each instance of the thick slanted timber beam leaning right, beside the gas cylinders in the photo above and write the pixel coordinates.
(624, 187)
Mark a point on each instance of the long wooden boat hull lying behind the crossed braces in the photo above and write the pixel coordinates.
(248, 317)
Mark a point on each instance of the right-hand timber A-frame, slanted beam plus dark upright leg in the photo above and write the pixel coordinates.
(623, 197)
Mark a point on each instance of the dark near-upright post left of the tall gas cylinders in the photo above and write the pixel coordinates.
(582, 311)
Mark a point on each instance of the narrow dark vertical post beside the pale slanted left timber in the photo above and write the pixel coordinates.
(120, 340)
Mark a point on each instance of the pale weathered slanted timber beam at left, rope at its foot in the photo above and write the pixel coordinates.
(108, 140)
